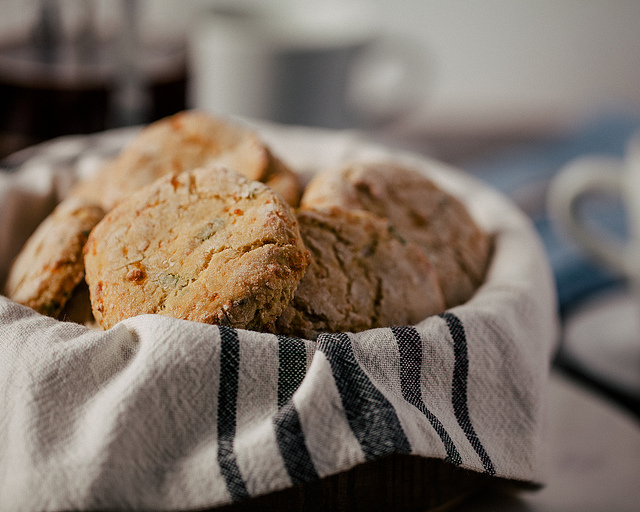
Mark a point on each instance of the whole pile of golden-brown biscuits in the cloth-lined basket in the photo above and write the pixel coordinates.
(197, 219)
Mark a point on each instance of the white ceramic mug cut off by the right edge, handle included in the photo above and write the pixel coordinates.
(619, 178)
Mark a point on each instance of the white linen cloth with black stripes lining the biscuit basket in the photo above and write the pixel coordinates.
(159, 413)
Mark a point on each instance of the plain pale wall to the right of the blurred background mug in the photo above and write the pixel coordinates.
(506, 63)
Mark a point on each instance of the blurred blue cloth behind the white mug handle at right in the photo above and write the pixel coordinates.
(524, 170)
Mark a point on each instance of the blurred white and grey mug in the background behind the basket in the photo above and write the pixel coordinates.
(313, 64)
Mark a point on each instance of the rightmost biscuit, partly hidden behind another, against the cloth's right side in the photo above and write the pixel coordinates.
(419, 212)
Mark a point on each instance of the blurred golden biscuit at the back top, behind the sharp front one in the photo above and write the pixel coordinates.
(177, 143)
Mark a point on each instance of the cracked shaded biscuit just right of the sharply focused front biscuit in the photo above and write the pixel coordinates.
(361, 276)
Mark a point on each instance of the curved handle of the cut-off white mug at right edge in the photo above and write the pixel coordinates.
(571, 184)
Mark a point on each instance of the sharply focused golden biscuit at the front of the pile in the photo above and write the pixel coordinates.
(206, 245)
